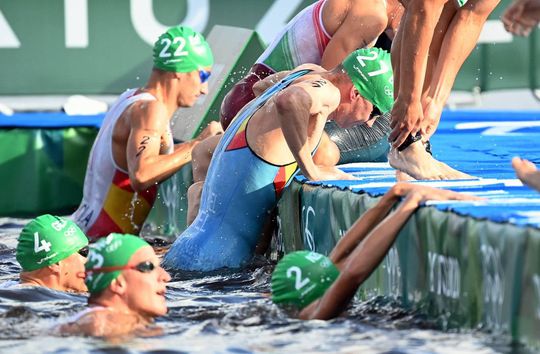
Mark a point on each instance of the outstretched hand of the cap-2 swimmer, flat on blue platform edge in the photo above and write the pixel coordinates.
(425, 193)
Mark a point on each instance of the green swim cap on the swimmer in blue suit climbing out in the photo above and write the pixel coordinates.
(370, 70)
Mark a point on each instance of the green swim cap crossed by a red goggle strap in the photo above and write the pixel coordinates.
(114, 250)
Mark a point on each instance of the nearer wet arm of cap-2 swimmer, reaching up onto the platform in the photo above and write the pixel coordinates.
(371, 251)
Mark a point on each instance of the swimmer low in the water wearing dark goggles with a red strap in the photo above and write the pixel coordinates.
(127, 289)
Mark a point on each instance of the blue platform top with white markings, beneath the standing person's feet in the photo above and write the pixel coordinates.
(480, 143)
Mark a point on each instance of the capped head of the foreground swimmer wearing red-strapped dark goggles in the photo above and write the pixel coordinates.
(126, 269)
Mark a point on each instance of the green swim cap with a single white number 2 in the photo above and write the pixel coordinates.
(302, 277)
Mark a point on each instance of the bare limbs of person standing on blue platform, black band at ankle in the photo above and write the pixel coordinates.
(426, 65)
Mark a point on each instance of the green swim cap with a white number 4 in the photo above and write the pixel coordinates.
(47, 240)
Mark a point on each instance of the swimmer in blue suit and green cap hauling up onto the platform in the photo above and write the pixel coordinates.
(263, 148)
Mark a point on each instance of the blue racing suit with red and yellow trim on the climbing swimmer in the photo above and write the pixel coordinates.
(240, 191)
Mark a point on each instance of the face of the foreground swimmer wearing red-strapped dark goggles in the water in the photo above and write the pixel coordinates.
(145, 292)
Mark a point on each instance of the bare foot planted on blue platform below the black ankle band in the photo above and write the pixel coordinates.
(419, 164)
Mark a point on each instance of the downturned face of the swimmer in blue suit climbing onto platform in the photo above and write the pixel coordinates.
(356, 111)
